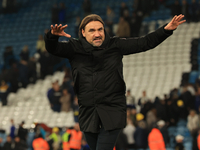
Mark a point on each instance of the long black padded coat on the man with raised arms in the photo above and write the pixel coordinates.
(98, 77)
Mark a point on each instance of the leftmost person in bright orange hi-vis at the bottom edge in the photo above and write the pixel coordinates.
(39, 143)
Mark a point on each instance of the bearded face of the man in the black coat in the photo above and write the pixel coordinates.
(94, 33)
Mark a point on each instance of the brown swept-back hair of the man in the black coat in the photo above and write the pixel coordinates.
(88, 19)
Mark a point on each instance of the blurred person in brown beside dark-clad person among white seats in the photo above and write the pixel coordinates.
(65, 101)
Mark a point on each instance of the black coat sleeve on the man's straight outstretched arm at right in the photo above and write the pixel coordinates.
(136, 45)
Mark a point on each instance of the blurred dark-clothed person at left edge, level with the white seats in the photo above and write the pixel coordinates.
(4, 90)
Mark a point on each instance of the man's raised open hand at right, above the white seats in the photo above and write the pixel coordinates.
(175, 22)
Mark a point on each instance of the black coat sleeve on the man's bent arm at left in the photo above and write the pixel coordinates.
(60, 49)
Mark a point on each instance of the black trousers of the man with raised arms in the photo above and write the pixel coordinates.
(104, 140)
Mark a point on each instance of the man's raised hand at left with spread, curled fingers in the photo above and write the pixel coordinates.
(59, 30)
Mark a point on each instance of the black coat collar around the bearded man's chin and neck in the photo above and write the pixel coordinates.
(88, 47)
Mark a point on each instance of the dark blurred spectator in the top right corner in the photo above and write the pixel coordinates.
(193, 10)
